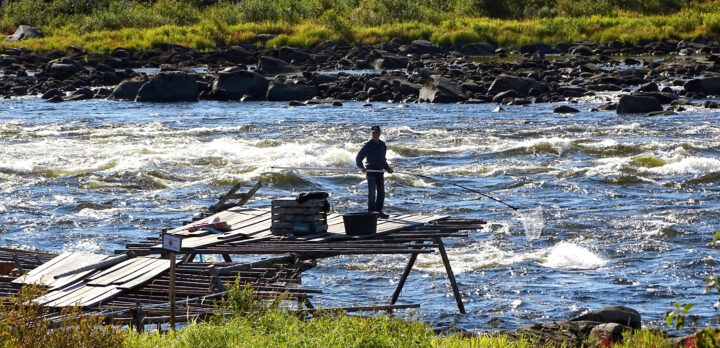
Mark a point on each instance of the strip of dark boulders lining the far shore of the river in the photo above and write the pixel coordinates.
(660, 78)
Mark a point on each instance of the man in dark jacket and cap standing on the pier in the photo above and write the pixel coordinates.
(374, 151)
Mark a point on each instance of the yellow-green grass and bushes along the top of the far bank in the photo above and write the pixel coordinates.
(103, 25)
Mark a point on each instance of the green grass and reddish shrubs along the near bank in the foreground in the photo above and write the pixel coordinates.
(256, 323)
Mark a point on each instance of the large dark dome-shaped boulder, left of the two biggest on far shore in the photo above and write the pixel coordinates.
(169, 86)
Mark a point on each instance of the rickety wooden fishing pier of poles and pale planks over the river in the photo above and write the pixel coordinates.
(133, 286)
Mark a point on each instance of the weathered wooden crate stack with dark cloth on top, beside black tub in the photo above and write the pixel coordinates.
(292, 217)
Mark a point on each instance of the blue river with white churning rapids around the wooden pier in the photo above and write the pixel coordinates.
(627, 205)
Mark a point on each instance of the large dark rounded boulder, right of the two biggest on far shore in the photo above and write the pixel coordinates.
(233, 84)
